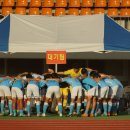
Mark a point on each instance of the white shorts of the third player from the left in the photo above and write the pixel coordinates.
(32, 89)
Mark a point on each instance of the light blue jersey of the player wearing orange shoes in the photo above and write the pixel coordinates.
(89, 83)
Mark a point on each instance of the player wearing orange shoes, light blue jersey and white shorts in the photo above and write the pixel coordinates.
(91, 87)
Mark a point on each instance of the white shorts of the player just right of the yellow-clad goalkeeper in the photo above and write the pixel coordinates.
(76, 91)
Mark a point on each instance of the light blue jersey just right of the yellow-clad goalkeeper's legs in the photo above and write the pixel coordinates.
(72, 81)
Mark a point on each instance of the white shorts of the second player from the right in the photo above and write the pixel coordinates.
(103, 92)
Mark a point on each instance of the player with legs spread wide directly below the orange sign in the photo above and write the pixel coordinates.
(52, 82)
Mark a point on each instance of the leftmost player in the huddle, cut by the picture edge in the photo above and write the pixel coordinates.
(5, 85)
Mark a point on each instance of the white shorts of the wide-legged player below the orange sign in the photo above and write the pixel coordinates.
(53, 90)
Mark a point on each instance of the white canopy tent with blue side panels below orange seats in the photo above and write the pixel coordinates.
(36, 34)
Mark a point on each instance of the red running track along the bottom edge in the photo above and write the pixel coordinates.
(64, 124)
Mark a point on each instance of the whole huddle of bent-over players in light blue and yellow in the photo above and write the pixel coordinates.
(86, 91)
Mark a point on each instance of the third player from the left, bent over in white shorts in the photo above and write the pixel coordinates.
(33, 88)
